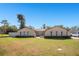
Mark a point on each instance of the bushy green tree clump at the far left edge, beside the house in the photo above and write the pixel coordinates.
(5, 28)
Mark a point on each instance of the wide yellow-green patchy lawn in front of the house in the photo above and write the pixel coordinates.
(38, 47)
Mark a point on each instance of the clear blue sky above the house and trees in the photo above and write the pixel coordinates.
(39, 14)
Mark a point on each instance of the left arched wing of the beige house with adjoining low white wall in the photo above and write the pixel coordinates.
(25, 32)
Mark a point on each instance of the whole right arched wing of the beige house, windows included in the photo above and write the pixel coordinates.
(56, 32)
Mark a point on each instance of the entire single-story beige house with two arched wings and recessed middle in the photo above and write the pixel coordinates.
(51, 32)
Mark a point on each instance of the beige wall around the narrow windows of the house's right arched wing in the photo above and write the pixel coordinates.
(59, 30)
